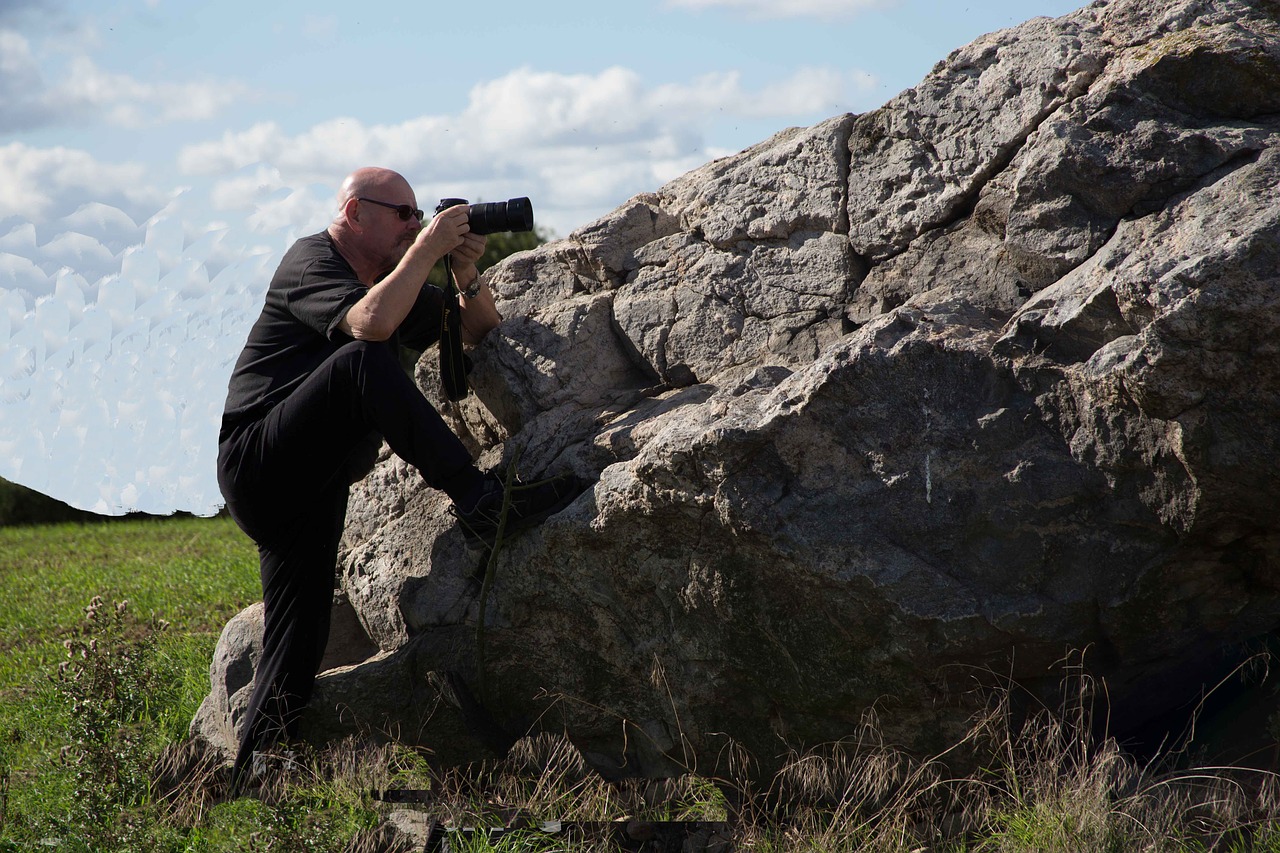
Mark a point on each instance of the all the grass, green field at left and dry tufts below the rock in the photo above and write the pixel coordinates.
(97, 696)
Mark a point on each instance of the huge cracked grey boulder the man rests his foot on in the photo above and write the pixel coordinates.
(959, 386)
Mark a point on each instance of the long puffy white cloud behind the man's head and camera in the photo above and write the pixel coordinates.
(570, 142)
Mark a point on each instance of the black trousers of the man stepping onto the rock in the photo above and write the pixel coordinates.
(286, 480)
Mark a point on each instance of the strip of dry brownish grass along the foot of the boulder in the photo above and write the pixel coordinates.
(1044, 784)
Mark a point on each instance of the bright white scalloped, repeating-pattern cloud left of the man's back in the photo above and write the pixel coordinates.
(111, 393)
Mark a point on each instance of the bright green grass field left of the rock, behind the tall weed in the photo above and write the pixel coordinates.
(193, 573)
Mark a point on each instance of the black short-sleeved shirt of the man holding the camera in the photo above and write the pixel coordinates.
(312, 291)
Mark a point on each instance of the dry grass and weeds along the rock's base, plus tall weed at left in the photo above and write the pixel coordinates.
(1035, 781)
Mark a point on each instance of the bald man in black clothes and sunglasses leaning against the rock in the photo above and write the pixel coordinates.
(316, 390)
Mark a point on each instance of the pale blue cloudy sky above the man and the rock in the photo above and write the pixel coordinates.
(157, 159)
